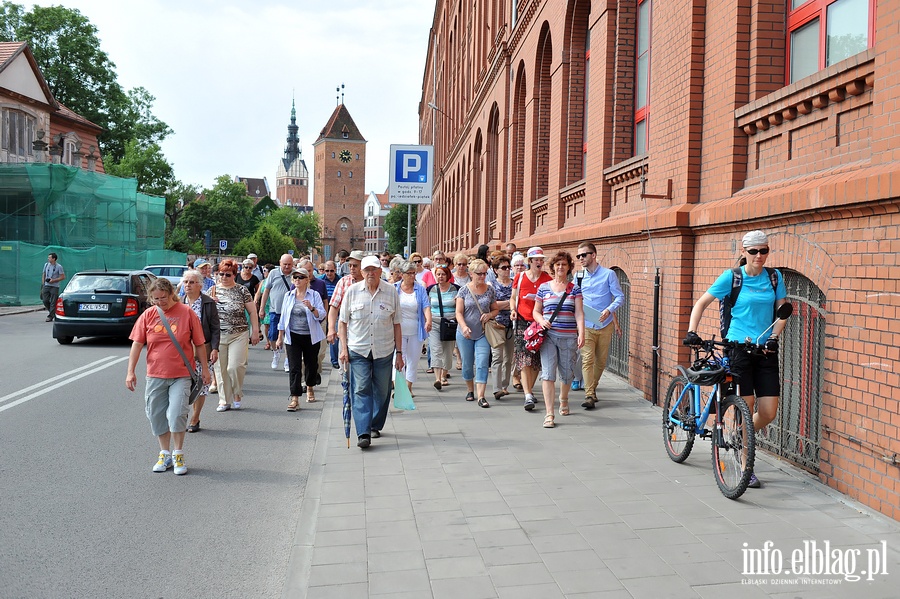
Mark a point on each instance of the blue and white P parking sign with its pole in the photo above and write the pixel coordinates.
(411, 180)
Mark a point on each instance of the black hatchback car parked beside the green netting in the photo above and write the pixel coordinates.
(102, 303)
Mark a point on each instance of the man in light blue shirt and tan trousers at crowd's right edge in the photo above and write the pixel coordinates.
(603, 294)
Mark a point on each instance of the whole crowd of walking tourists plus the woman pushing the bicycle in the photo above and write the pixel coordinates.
(517, 317)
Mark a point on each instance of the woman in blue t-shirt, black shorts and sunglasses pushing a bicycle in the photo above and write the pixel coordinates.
(761, 292)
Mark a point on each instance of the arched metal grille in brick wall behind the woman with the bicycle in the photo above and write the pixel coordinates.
(795, 433)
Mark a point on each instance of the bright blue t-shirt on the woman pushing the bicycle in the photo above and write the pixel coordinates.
(754, 310)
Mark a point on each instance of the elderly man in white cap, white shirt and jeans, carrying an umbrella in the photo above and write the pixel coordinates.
(370, 336)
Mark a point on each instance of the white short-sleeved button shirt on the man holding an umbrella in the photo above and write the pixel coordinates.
(370, 318)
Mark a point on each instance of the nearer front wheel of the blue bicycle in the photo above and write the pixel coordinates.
(734, 448)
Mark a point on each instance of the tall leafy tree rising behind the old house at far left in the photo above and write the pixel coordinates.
(81, 76)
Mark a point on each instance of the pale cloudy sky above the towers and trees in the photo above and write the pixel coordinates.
(224, 72)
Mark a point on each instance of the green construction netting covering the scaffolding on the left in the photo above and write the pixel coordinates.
(89, 219)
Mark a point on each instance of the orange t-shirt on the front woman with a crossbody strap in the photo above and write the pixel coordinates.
(163, 360)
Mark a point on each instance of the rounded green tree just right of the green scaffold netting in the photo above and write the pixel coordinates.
(226, 210)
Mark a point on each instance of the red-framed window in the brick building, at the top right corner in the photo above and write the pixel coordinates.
(823, 32)
